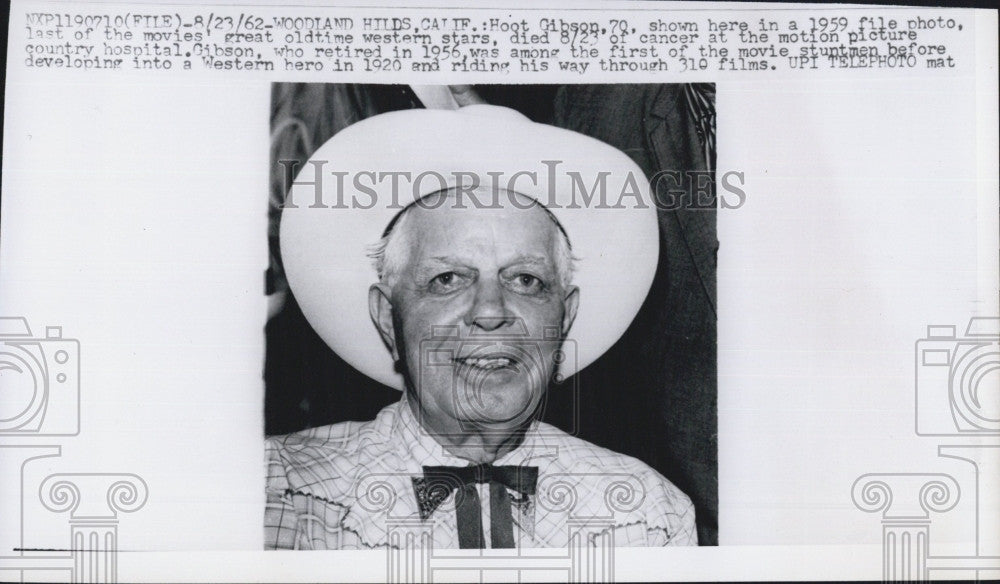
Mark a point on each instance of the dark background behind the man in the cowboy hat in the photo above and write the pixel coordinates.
(652, 395)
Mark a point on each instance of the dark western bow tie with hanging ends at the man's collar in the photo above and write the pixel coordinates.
(439, 481)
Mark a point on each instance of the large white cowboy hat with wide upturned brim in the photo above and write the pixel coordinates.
(344, 198)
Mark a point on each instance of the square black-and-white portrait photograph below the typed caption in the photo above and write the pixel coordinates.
(532, 233)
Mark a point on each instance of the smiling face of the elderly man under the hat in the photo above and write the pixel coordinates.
(477, 312)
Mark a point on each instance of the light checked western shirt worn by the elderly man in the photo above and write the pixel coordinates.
(350, 486)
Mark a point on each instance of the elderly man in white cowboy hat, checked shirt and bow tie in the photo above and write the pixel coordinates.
(480, 281)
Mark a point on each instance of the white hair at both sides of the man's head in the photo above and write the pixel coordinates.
(390, 253)
